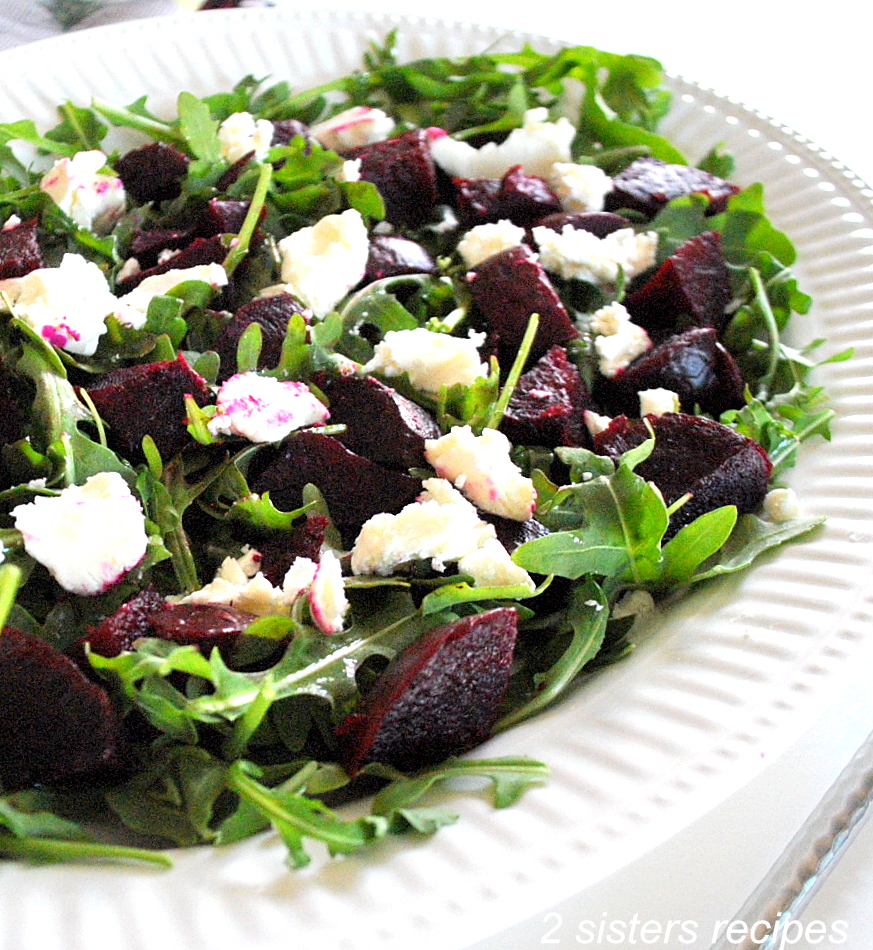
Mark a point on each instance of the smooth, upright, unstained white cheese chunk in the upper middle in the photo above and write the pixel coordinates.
(321, 263)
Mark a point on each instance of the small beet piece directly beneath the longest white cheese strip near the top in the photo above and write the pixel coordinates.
(517, 197)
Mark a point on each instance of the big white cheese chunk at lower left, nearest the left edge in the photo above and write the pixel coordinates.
(88, 536)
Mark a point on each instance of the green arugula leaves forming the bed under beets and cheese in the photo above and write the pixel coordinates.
(232, 752)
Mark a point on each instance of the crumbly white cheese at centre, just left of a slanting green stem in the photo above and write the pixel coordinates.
(430, 360)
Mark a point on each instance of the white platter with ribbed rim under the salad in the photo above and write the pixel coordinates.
(715, 689)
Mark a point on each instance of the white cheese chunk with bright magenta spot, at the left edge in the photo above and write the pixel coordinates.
(67, 305)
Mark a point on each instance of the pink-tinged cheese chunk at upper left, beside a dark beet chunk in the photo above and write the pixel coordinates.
(91, 199)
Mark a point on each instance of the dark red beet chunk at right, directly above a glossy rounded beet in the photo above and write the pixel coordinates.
(693, 286)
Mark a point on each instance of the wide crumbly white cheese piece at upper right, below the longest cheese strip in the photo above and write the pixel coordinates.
(575, 254)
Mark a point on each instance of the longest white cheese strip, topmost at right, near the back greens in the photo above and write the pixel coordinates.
(536, 146)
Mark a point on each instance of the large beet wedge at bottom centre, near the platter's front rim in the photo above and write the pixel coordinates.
(439, 697)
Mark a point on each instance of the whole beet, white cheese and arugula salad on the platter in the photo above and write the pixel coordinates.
(347, 427)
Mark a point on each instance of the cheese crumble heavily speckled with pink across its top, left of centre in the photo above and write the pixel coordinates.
(264, 409)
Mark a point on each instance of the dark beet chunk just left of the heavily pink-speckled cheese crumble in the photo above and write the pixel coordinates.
(148, 399)
